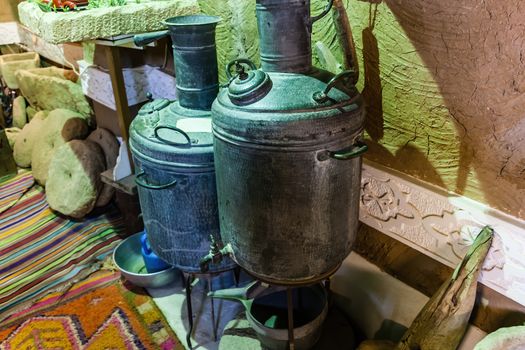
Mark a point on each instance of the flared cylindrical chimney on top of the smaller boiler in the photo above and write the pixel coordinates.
(195, 57)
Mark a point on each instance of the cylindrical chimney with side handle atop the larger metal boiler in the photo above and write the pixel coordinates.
(285, 28)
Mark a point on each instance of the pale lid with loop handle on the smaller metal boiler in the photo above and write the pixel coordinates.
(165, 132)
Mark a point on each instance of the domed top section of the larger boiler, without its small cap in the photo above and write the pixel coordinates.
(298, 111)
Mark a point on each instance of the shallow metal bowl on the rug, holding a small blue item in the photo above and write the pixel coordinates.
(129, 260)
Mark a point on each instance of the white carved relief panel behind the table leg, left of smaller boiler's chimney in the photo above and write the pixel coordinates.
(96, 83)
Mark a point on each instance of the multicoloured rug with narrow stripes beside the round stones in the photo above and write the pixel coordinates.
(42, 252)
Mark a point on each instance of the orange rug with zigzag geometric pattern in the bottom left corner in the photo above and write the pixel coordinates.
(99, 313)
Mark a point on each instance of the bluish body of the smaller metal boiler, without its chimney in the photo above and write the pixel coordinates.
(172, 148)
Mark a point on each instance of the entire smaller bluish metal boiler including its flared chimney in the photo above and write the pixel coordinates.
(172, 147)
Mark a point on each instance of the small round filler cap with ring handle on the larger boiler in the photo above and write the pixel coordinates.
(249, 87)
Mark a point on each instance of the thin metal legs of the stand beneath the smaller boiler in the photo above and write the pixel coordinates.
(190, 281)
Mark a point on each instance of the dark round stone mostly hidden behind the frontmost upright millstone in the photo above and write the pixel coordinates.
(109, 144)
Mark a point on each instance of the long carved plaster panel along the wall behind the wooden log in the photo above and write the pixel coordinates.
(443, 225)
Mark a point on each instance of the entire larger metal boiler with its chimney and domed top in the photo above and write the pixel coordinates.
(288, 206)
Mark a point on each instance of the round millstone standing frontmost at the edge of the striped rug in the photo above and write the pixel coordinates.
(74, 178)
